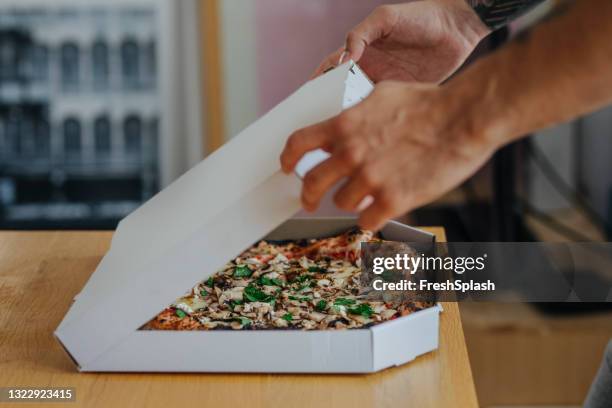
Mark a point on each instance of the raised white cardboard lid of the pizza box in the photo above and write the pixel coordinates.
(194, 226)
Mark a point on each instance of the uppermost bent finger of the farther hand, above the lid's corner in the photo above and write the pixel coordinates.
(375, 26)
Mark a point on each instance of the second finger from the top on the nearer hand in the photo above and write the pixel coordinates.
(325, 175)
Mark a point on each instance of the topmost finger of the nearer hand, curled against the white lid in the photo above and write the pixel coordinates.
(304, 140)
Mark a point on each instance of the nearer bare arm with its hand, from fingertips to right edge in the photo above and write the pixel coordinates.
(406, 145)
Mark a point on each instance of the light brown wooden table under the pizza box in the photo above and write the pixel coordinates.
(40, 272)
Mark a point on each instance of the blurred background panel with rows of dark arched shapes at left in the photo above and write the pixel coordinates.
(79, 111)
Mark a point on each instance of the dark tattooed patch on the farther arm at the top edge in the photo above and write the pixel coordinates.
(497, 13)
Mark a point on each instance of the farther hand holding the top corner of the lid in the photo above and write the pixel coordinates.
(418, 41)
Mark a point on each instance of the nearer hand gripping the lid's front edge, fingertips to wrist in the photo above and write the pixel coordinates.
(404, 146)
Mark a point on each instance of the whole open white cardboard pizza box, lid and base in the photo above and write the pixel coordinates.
(208, 216)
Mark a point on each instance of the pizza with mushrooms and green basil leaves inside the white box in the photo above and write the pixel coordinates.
(299, 284)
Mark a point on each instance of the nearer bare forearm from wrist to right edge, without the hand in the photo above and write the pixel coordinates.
(559, 70)
